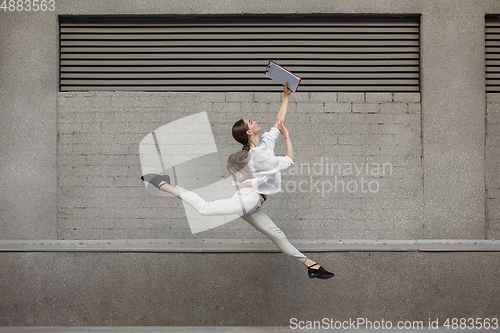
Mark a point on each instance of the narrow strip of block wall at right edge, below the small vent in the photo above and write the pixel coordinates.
(493, 166)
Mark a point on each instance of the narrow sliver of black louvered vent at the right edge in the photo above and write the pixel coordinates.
(492, 53)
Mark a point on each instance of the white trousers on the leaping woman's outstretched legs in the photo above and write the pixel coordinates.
(245, 203)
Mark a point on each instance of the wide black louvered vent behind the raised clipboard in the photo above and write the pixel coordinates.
(230, 53)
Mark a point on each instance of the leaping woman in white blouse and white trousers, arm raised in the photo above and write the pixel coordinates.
(256, 171)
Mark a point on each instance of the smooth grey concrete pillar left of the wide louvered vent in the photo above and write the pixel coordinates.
(28, 131)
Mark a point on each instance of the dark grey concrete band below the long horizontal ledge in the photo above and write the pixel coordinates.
(250, 289)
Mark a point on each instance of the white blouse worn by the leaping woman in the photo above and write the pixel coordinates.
(266, 166)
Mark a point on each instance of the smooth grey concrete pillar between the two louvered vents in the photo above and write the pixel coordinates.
(453, 125)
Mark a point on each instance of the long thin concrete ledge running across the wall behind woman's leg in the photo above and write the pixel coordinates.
(248, 245)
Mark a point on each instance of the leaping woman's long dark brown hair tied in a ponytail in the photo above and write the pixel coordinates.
(238, 161)
